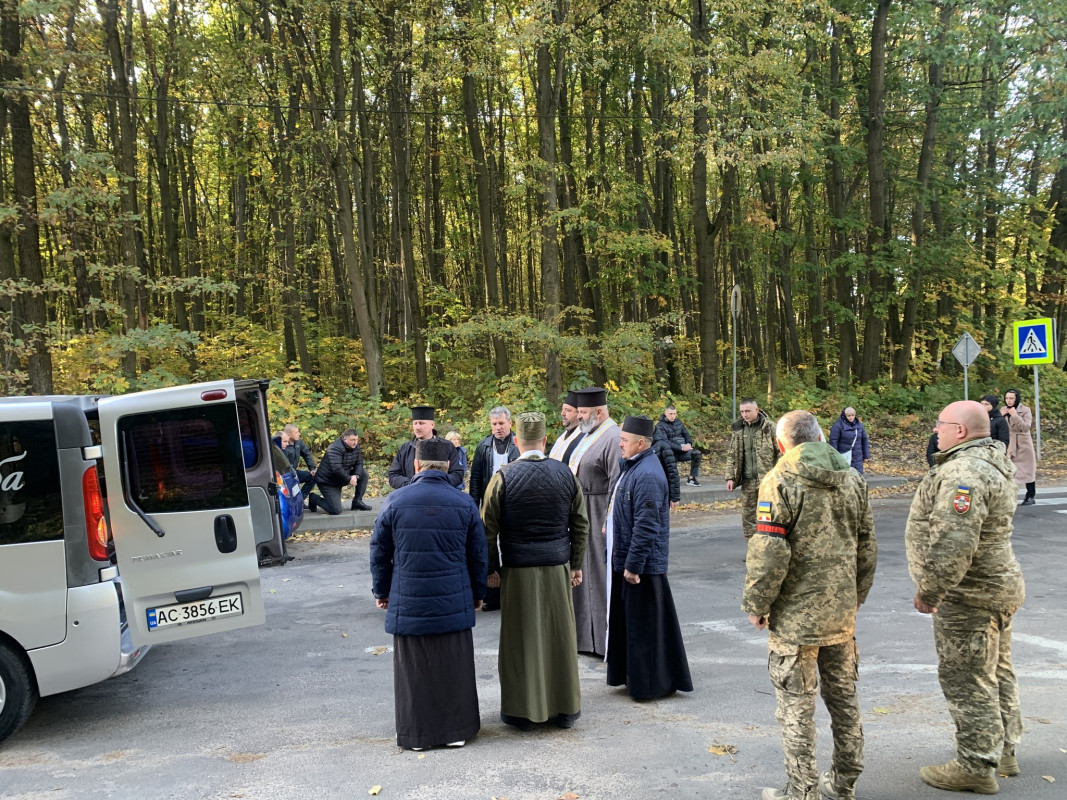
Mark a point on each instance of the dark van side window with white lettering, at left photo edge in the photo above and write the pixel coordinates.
(31, 502)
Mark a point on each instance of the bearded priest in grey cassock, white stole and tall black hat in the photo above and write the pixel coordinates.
(596, 465)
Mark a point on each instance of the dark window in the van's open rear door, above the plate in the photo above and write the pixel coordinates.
(184, 459)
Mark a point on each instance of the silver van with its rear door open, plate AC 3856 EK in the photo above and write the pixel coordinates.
(128, 522)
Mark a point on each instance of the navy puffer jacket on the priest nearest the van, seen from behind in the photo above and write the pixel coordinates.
(428, 556)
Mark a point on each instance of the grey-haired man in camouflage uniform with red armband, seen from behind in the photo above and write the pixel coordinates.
(810, 566)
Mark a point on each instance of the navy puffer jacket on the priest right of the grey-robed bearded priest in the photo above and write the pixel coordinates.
(642, 517)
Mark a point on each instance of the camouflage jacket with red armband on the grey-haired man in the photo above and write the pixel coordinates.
(814, 558)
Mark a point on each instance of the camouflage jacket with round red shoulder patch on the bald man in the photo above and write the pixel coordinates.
(959, 535)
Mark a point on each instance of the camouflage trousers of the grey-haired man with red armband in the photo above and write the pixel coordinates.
(797, 671)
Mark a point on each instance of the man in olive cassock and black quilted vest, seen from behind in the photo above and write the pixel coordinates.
(535, 508)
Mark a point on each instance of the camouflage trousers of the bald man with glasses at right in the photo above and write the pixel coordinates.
(975, 667)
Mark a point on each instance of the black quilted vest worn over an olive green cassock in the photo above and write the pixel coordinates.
(537, 510)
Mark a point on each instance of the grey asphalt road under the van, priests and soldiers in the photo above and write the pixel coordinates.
(302, 707)
